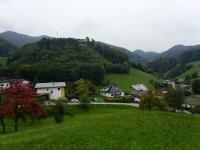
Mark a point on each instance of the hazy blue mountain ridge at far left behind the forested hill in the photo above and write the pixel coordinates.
(19, 40)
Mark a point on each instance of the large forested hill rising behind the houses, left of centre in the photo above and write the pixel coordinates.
(65, 60)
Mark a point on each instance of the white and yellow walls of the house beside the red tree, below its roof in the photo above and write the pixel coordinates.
(54, 93)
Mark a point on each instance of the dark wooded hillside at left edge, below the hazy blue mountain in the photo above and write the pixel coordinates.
(6, 48)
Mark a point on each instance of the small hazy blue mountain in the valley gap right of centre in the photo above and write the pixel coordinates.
(148, 56)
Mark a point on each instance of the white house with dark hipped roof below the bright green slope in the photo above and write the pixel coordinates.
(111, 91)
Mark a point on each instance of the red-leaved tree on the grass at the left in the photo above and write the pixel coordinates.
(20, 100)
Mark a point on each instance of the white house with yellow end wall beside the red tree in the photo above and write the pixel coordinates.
(54, 90)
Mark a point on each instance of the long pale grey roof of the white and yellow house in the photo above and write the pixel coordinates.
(50, 85)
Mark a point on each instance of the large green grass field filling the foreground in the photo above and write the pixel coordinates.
(109, 128)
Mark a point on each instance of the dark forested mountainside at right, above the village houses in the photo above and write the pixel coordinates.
(173, 67)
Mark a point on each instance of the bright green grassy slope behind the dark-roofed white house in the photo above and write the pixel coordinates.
(135, 76)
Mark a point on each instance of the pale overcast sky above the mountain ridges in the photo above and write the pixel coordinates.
(151, 25)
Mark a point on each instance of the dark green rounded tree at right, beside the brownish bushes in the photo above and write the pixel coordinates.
(175, 98)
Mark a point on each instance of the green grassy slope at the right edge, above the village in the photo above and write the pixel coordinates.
(195, 68)
